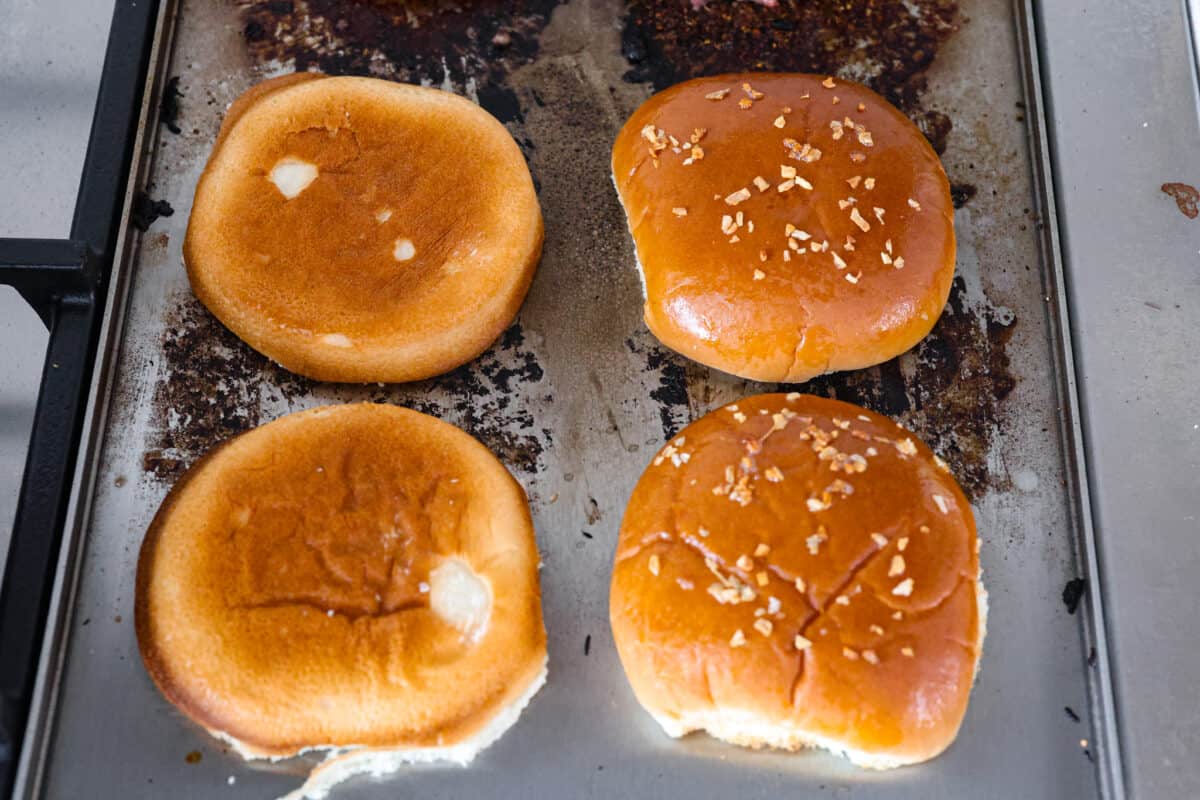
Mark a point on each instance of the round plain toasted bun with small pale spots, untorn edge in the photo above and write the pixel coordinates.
(362, 231)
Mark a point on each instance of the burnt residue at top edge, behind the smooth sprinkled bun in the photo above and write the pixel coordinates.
(887, 45)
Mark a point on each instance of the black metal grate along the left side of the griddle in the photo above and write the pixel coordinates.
(65, 281)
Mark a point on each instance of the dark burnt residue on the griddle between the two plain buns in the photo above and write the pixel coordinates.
(213, 386)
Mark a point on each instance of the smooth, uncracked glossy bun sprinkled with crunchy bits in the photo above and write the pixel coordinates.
(799, 318)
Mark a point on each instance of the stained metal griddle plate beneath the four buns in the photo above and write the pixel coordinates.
(577, 396)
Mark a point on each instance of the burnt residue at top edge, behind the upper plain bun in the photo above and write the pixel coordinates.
(473, 45)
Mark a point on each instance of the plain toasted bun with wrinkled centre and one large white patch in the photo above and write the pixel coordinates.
(284, 590)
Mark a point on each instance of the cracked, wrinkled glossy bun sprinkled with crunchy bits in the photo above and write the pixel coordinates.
(827, 522)
